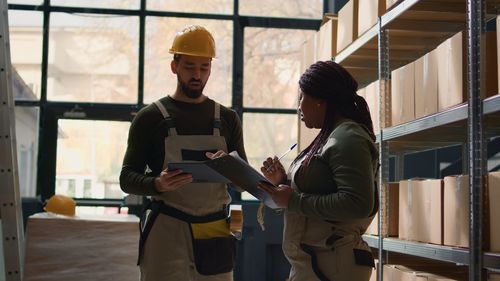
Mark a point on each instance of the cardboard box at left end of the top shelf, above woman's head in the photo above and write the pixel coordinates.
(347, 24)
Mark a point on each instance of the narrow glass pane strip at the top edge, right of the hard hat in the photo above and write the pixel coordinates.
(282, 8)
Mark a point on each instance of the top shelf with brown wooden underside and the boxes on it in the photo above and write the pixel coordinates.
(408, 24)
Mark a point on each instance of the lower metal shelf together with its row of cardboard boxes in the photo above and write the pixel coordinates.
(429, 218)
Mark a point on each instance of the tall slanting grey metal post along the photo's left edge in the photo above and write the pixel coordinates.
(10, 203)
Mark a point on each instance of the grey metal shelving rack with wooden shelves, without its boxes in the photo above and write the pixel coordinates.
(403, 34)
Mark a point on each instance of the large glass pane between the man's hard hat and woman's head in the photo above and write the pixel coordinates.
(272, 66)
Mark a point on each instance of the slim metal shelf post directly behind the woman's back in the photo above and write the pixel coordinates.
(384, 113)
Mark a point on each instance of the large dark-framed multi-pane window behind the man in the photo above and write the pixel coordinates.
(109, 59)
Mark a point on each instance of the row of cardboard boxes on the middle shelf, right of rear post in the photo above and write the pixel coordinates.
(436, 81)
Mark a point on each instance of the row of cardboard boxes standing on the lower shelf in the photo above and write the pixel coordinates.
(437, 211)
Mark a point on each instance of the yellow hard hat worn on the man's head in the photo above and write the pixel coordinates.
(194, 40)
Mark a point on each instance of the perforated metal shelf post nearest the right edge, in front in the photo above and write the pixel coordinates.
(475, 84)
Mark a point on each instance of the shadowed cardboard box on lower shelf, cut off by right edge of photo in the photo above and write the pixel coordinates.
(494, 194)
